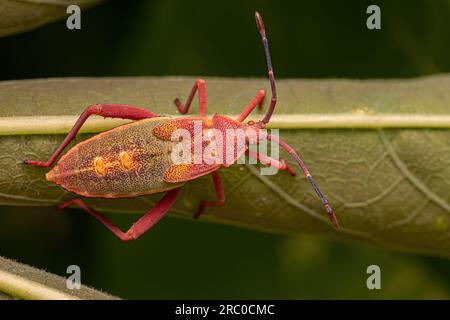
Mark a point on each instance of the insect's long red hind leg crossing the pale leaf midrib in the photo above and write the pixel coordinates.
(105, 110)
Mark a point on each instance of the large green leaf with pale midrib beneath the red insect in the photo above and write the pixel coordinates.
(378, 149)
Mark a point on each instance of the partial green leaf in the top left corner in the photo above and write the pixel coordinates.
(23, 15)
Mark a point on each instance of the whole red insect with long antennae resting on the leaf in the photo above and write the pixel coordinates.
(134, 159)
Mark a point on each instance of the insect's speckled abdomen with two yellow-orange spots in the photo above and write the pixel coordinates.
(124, 162)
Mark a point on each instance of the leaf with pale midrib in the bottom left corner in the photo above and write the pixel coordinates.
(24, 282)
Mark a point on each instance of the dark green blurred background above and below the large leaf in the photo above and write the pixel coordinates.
(191, 259)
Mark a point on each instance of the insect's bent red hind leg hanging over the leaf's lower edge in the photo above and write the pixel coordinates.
(147, 221)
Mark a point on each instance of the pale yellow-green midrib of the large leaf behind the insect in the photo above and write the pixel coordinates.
(62, 124)
